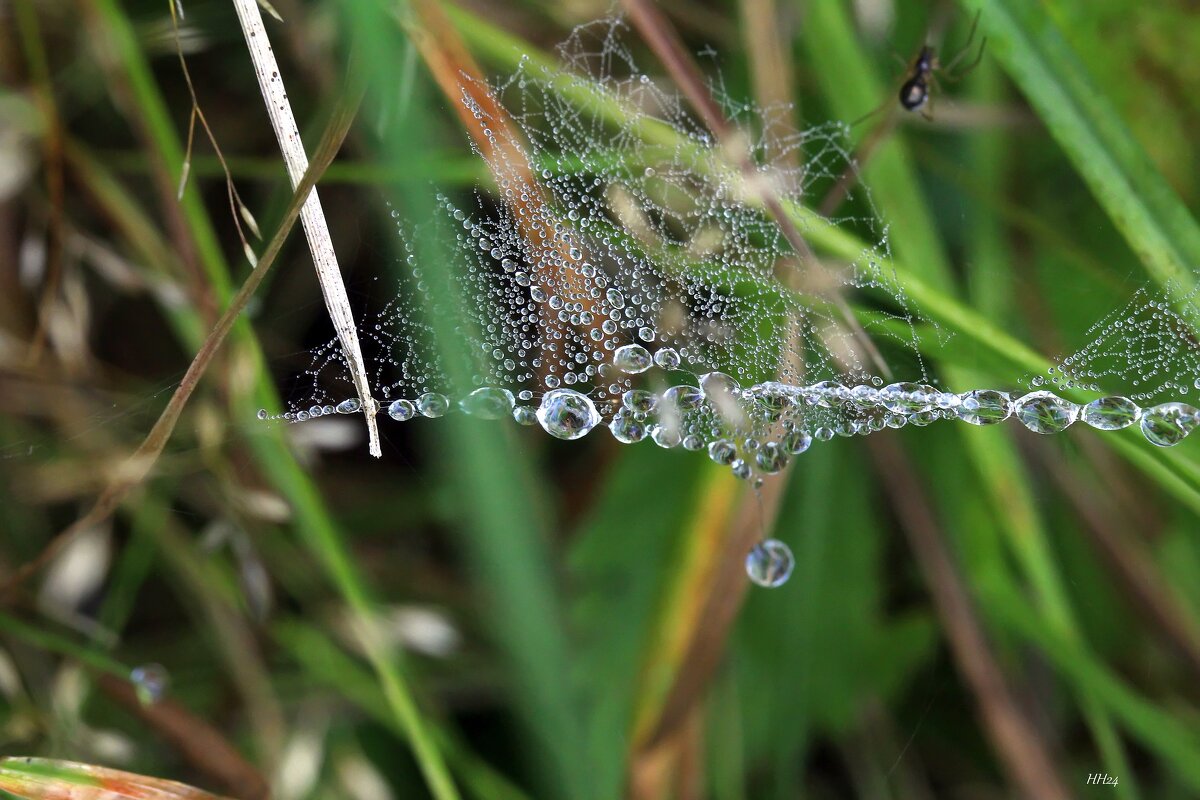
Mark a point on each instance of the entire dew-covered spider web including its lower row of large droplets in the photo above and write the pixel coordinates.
(631, 269)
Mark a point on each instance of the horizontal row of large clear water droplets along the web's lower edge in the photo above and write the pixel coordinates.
(728, 420)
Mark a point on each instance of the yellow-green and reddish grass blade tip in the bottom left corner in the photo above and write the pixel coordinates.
(43, 779)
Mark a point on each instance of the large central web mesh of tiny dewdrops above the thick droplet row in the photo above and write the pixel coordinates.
(639, 227)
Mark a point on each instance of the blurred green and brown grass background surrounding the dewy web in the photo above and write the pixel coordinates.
(489, 613)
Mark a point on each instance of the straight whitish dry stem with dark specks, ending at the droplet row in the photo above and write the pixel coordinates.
(311, 215)
